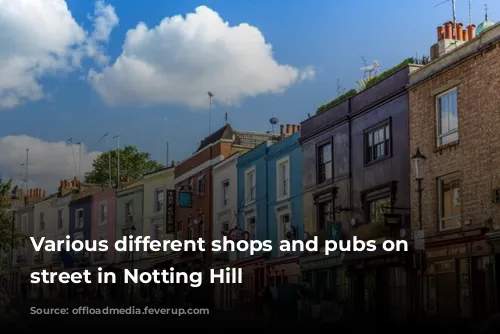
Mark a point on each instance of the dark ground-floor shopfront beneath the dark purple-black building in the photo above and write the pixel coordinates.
(380, 285)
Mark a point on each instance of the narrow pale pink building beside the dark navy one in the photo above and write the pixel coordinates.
(104, 225)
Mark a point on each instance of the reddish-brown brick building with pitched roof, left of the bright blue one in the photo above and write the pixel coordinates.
(193, 183)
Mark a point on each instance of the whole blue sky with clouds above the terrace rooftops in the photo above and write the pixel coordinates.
(325, 35)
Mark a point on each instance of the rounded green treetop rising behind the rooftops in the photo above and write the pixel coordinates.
(133, 164)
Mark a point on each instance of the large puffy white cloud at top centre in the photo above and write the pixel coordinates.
(181, 59)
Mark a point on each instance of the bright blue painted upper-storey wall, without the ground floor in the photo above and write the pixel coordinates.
(266, 205)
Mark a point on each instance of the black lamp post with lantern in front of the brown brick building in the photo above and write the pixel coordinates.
(418, 160)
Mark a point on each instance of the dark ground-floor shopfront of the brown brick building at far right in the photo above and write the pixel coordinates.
(456, 285)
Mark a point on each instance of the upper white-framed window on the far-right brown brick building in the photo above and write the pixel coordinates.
(447, 117)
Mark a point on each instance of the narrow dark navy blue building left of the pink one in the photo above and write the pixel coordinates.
(80, 221)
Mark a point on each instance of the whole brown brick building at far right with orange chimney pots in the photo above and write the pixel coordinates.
(454, 121)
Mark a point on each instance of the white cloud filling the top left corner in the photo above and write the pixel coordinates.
(40, 37)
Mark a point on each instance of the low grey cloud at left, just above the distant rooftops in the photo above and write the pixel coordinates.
(49, 162)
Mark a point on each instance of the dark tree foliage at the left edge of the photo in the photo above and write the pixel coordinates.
(6, 223)
